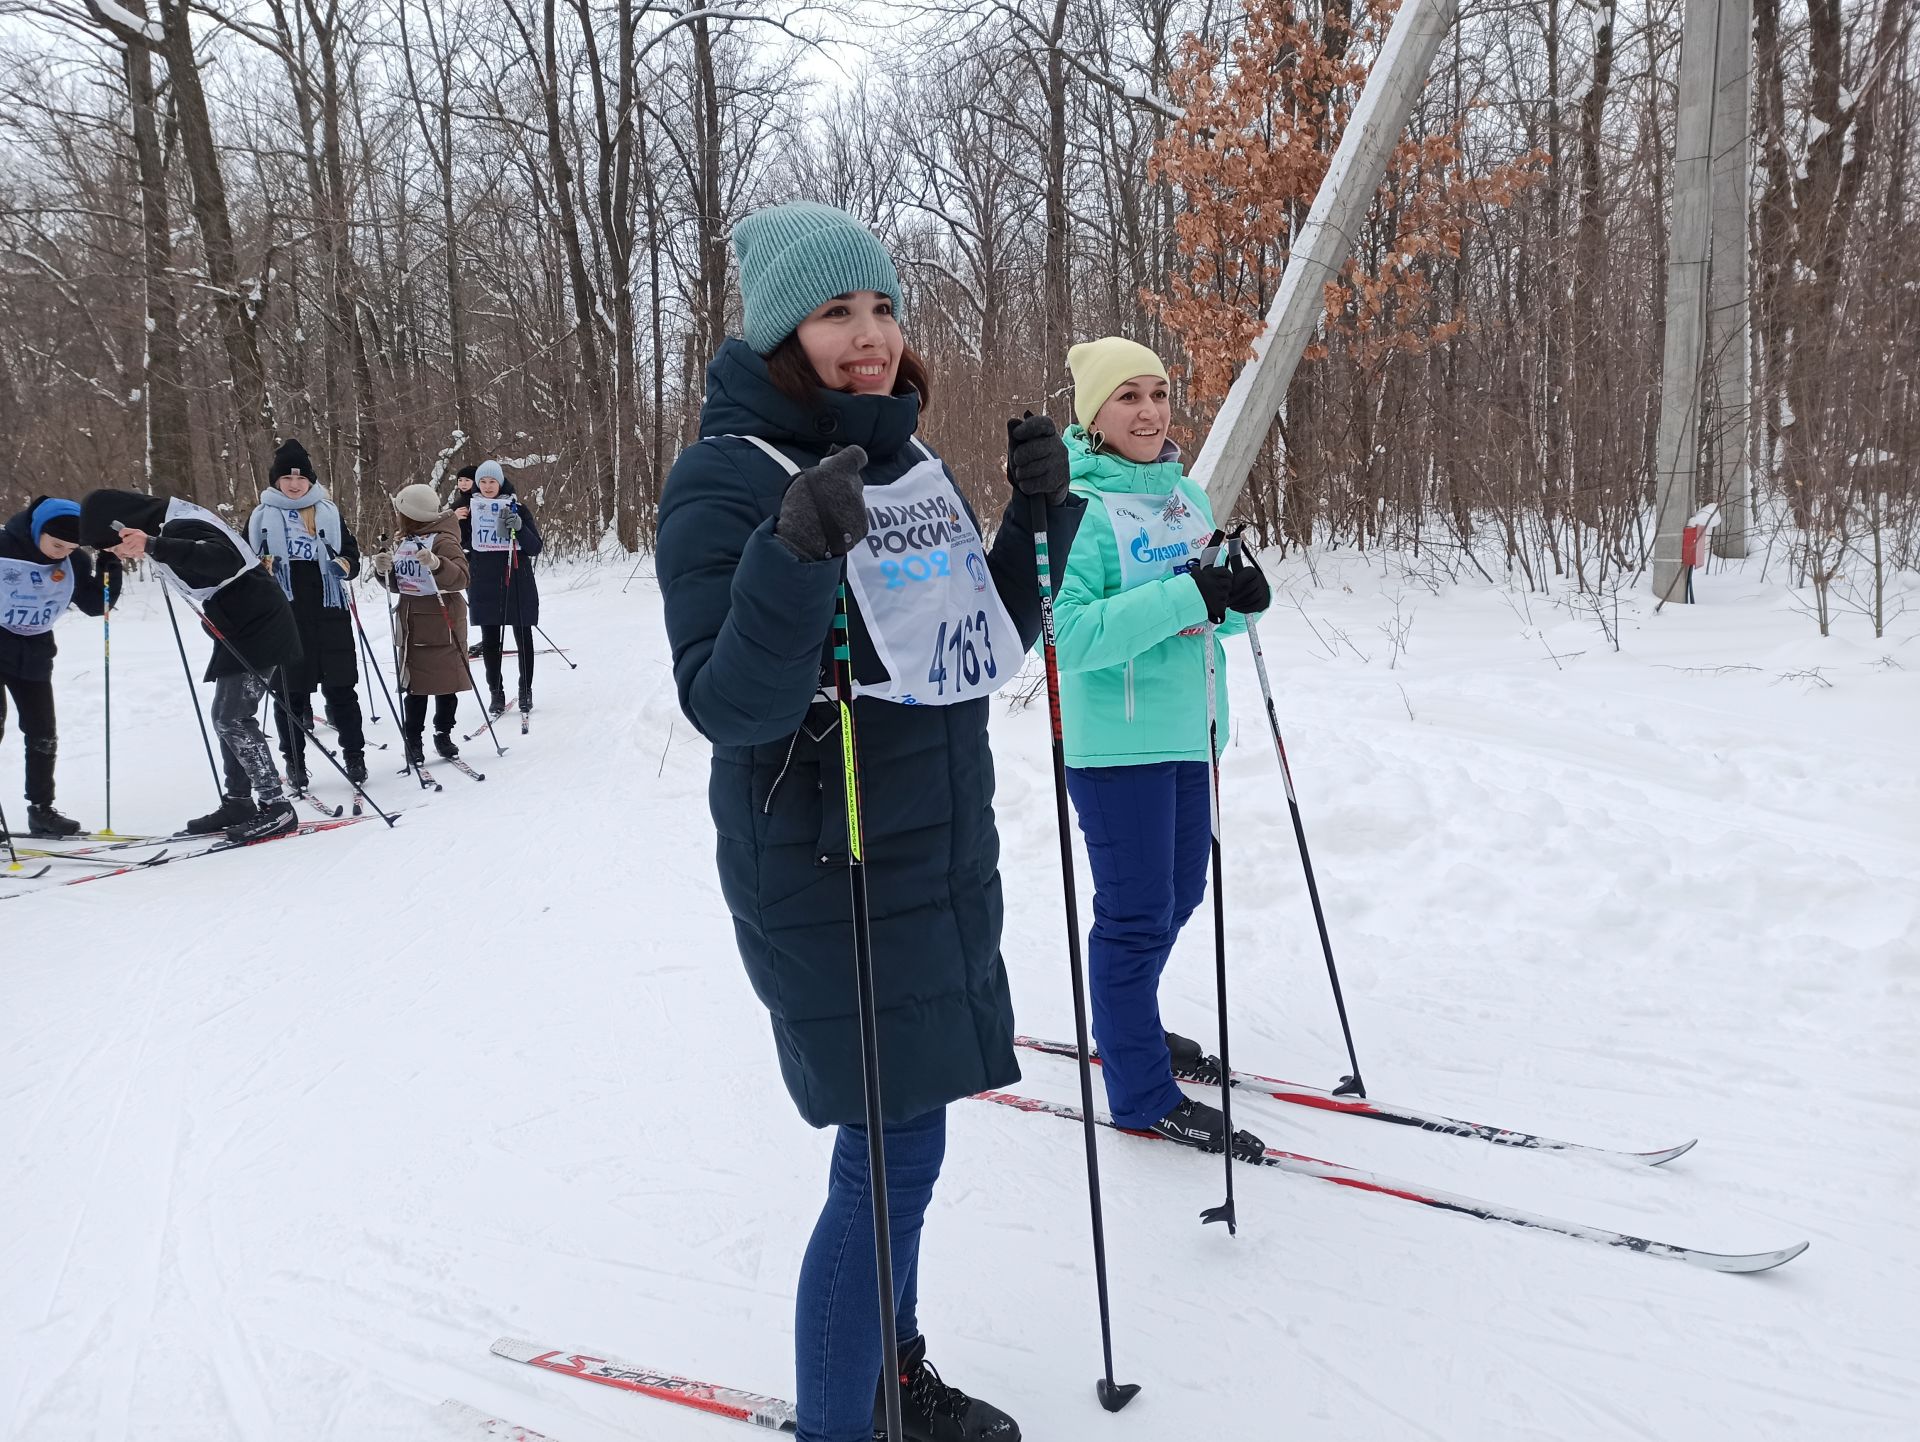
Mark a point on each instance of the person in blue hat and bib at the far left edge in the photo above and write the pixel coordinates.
(43, 573)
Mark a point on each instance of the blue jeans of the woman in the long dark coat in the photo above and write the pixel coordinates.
(838, 1353)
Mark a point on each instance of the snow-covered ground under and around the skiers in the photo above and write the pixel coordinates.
(293, 1136)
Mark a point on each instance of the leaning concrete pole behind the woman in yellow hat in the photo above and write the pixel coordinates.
(1322, 249)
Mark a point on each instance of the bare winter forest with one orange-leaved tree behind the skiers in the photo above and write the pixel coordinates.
(421, 233)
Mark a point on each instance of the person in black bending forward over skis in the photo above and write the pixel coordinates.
(252, 629)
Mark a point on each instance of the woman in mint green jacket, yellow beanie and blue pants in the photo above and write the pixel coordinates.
(1134, 619)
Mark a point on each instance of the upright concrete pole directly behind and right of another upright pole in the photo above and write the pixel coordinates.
(1729, 339)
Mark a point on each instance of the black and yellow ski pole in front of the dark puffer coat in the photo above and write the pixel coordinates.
(863, 965)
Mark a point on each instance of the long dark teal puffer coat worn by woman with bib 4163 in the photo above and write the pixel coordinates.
(748, 625)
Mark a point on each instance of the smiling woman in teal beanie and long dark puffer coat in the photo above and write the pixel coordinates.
(807, 433)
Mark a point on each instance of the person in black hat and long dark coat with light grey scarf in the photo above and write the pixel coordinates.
(302, 541)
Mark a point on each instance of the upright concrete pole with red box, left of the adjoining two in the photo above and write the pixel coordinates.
(1689, 243)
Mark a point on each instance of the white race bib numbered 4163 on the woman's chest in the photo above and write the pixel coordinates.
(930, 606)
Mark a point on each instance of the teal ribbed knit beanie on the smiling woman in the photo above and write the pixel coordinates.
(800, 256)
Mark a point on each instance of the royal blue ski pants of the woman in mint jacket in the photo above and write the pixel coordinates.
(1149, 838)
